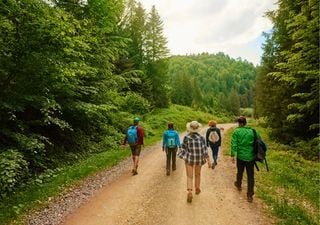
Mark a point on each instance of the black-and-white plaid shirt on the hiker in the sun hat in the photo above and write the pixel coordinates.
(195, 149)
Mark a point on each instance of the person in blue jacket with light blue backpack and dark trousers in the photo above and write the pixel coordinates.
(170, 144)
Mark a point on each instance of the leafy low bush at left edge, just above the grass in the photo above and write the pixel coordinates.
(13, 168)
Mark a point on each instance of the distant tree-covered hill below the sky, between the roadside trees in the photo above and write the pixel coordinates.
(213, 82)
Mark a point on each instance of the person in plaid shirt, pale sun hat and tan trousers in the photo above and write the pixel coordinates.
(195, 153)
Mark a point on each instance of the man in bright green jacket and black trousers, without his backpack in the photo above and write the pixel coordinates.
(242, 146)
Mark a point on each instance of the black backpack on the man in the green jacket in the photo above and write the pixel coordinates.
(260, 151)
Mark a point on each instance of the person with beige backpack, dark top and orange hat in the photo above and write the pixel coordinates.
(213, 138)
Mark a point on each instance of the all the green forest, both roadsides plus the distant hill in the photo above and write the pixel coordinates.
(74, 73)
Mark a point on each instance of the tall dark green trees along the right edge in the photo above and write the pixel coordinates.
(287, 89)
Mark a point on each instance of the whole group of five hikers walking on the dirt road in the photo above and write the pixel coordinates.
(194, 151)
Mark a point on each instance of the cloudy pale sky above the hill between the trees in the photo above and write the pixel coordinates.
(230, 26)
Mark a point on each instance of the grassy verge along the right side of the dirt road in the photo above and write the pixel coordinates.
(291, 187)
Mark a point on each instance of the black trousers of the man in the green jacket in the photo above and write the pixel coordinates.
(249, 166)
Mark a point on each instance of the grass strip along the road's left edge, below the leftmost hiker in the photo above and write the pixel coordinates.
(35, 195)
